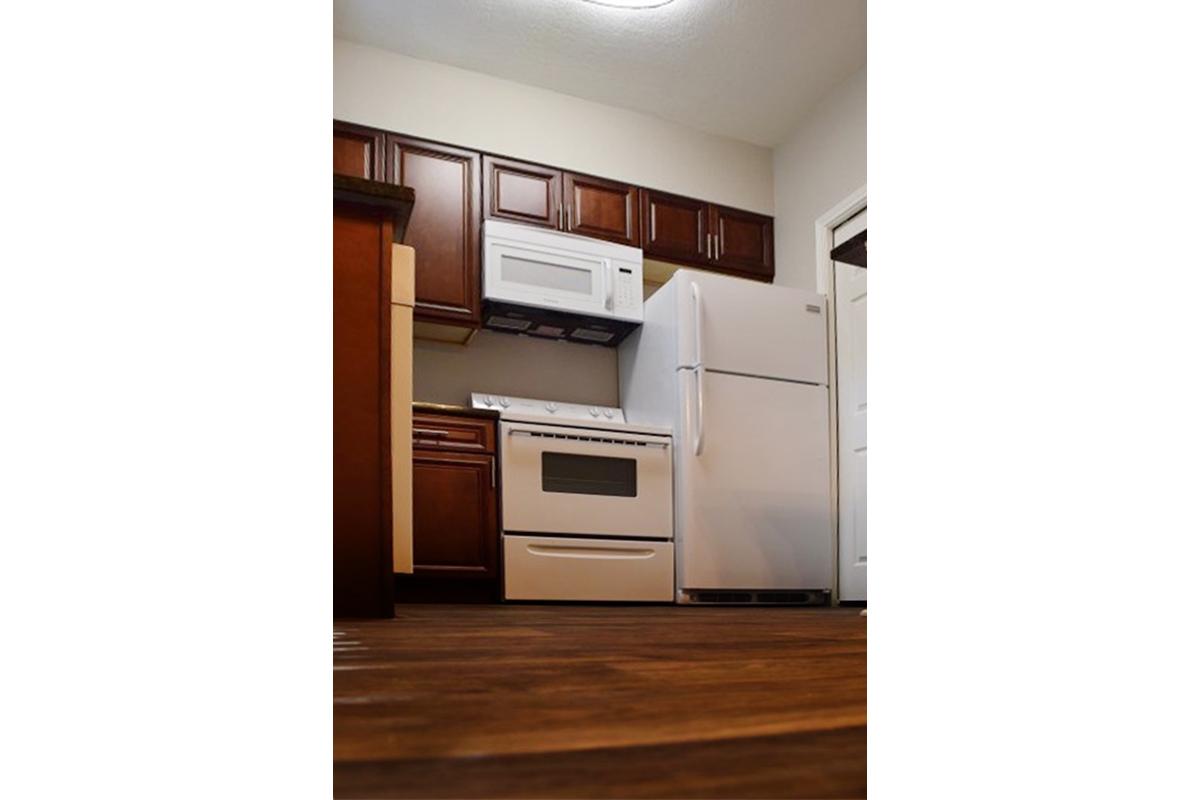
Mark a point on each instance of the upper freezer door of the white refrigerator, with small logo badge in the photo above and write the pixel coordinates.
(751, 328)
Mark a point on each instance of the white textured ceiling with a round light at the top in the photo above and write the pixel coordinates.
(745, 69)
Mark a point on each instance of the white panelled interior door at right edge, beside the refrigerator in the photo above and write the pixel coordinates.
(851, 299)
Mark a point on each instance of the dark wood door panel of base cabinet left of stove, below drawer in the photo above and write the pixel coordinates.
(455, 527)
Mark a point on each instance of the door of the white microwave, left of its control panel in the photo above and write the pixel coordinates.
(548, 278)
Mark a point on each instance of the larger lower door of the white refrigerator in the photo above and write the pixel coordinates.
(754, 509)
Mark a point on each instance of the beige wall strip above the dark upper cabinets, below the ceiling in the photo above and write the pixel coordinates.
(471, 110)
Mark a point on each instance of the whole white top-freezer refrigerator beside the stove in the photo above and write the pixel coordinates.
(739, 371)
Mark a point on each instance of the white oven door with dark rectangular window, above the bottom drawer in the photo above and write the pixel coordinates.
(560, 480)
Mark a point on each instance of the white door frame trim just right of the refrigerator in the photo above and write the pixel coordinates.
(826, 285)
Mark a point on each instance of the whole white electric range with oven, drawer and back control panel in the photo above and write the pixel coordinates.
(586, 503)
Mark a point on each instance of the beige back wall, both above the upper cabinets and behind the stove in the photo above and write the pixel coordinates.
(382, 89)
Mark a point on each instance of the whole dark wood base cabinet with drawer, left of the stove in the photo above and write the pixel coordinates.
(455, 512)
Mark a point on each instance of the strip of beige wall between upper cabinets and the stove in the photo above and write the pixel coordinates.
(515, 365)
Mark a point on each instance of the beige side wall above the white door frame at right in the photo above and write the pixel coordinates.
(820, 165)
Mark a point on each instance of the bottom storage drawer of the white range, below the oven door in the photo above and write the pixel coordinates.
(544, 568)
